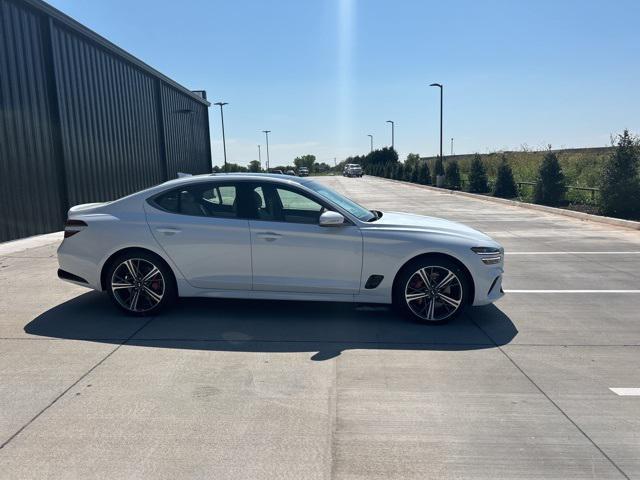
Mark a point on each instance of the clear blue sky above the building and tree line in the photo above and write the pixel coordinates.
(324, 74)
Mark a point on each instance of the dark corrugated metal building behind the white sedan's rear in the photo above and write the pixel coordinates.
(81, 120)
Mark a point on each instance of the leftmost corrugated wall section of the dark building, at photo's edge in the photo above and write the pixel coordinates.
(29, 190)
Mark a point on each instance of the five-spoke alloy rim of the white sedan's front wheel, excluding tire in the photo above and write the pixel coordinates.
(433, 293)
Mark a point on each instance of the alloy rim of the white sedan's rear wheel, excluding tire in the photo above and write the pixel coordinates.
(138, 285)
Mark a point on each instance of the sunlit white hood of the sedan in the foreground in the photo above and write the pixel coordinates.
(410, 222)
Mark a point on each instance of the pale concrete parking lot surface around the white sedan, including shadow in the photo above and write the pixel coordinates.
(239, 389)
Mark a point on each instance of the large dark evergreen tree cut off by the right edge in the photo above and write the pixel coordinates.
(620, 186)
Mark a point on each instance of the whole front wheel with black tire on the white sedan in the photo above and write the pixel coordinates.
(430, 305)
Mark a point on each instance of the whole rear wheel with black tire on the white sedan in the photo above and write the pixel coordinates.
(159, 284)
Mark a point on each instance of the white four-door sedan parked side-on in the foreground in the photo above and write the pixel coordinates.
(261, 236)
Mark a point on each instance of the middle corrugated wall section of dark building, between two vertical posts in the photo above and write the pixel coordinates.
(109, 118)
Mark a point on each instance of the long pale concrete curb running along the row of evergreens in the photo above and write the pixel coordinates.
(618, 222)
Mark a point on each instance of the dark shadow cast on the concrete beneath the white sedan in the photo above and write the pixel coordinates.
(270, 326)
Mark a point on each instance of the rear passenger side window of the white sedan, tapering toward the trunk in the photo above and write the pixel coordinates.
(204, 200)
